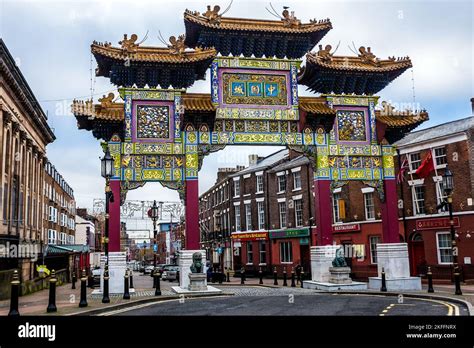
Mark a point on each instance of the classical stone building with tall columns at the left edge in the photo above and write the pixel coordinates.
(24, 135)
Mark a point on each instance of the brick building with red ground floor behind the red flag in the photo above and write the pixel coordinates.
(427, 226)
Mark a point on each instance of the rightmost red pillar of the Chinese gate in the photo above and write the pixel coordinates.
(390, 213)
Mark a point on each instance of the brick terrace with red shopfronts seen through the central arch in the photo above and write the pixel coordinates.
(260, 216)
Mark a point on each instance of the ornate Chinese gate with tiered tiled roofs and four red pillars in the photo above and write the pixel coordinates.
(160, 132)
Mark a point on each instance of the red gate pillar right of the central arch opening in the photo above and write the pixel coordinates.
(323, 211)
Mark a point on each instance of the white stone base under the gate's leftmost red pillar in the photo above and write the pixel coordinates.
(117, 268)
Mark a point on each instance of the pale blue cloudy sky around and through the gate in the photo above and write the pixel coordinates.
(50, 41)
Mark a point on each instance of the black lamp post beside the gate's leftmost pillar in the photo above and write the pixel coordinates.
(107, 171)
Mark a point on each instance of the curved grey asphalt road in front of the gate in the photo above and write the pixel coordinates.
(290, 302)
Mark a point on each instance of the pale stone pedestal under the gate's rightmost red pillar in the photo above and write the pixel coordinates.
(393, 258)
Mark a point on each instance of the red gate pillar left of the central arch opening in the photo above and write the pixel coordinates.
(192, 214)
